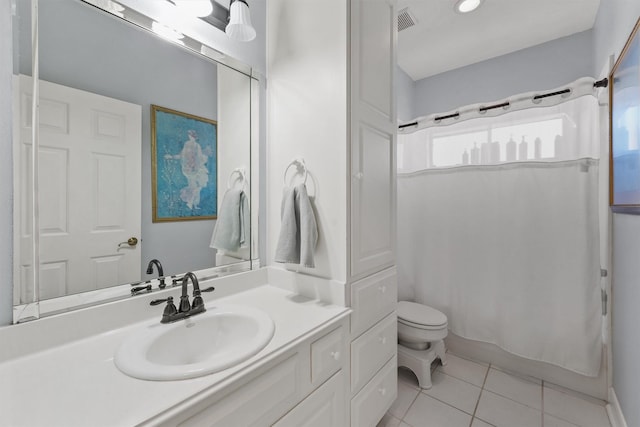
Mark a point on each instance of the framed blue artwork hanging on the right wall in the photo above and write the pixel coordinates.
(624, 128)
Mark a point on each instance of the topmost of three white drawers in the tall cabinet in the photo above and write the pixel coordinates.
(372, 299)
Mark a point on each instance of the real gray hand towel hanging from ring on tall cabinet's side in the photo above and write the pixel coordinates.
(298, 230)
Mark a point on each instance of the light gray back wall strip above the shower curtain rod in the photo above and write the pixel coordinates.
(540, 67)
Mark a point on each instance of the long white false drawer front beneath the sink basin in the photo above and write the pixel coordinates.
(260, 402)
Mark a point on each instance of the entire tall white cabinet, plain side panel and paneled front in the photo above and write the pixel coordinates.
(331, 101)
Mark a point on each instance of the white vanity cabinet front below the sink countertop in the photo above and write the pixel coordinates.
(304, 386)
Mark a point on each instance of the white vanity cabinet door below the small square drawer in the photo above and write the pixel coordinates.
(325, 407)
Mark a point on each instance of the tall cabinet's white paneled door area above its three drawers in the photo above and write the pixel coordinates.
(373, 136)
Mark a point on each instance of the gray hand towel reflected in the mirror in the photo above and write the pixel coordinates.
(230, 232)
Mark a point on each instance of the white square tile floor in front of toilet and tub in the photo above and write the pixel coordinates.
(470, 394)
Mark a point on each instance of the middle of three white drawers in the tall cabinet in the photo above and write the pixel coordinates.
(371, 350)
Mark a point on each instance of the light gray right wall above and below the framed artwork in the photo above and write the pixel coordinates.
(613, 26)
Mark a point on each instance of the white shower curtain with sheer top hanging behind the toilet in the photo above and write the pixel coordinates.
(502, 236)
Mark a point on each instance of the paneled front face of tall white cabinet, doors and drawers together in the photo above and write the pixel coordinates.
(373, 290)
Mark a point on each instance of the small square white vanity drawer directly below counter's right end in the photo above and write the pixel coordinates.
(327, 355)
